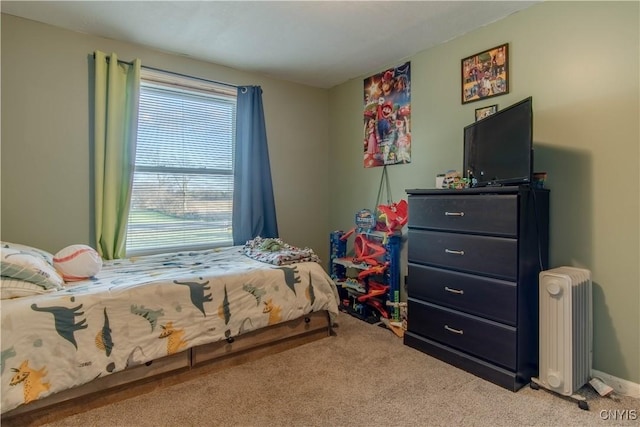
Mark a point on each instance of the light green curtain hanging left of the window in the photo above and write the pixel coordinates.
(117, 94)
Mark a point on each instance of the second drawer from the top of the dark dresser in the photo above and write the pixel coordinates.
(487, 255)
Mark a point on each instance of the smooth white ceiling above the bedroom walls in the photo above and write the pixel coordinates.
(318, 43)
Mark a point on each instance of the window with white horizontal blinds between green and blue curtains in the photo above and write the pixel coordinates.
(183, 181)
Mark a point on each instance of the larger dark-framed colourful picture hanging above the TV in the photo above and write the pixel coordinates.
(485, 74)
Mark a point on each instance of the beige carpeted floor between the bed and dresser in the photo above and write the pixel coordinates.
(363, 375)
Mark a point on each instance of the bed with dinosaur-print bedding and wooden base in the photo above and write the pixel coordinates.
(144, 316)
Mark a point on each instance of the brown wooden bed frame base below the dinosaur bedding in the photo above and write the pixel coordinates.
(171, 370)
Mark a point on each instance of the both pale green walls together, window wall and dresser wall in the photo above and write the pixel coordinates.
(579, 61)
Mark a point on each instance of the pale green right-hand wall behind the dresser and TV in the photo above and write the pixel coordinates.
(579, 62)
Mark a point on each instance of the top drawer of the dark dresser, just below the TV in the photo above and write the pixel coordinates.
(490, 214)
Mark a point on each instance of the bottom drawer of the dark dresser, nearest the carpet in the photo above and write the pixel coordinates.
(483, 338)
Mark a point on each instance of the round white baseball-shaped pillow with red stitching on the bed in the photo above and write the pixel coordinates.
(77, 262)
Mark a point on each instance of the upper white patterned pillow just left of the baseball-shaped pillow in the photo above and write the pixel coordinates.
(29, 264)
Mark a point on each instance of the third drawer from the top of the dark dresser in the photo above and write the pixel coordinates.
(483, 296)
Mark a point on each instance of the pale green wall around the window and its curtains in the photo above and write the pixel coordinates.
(46, 161)
